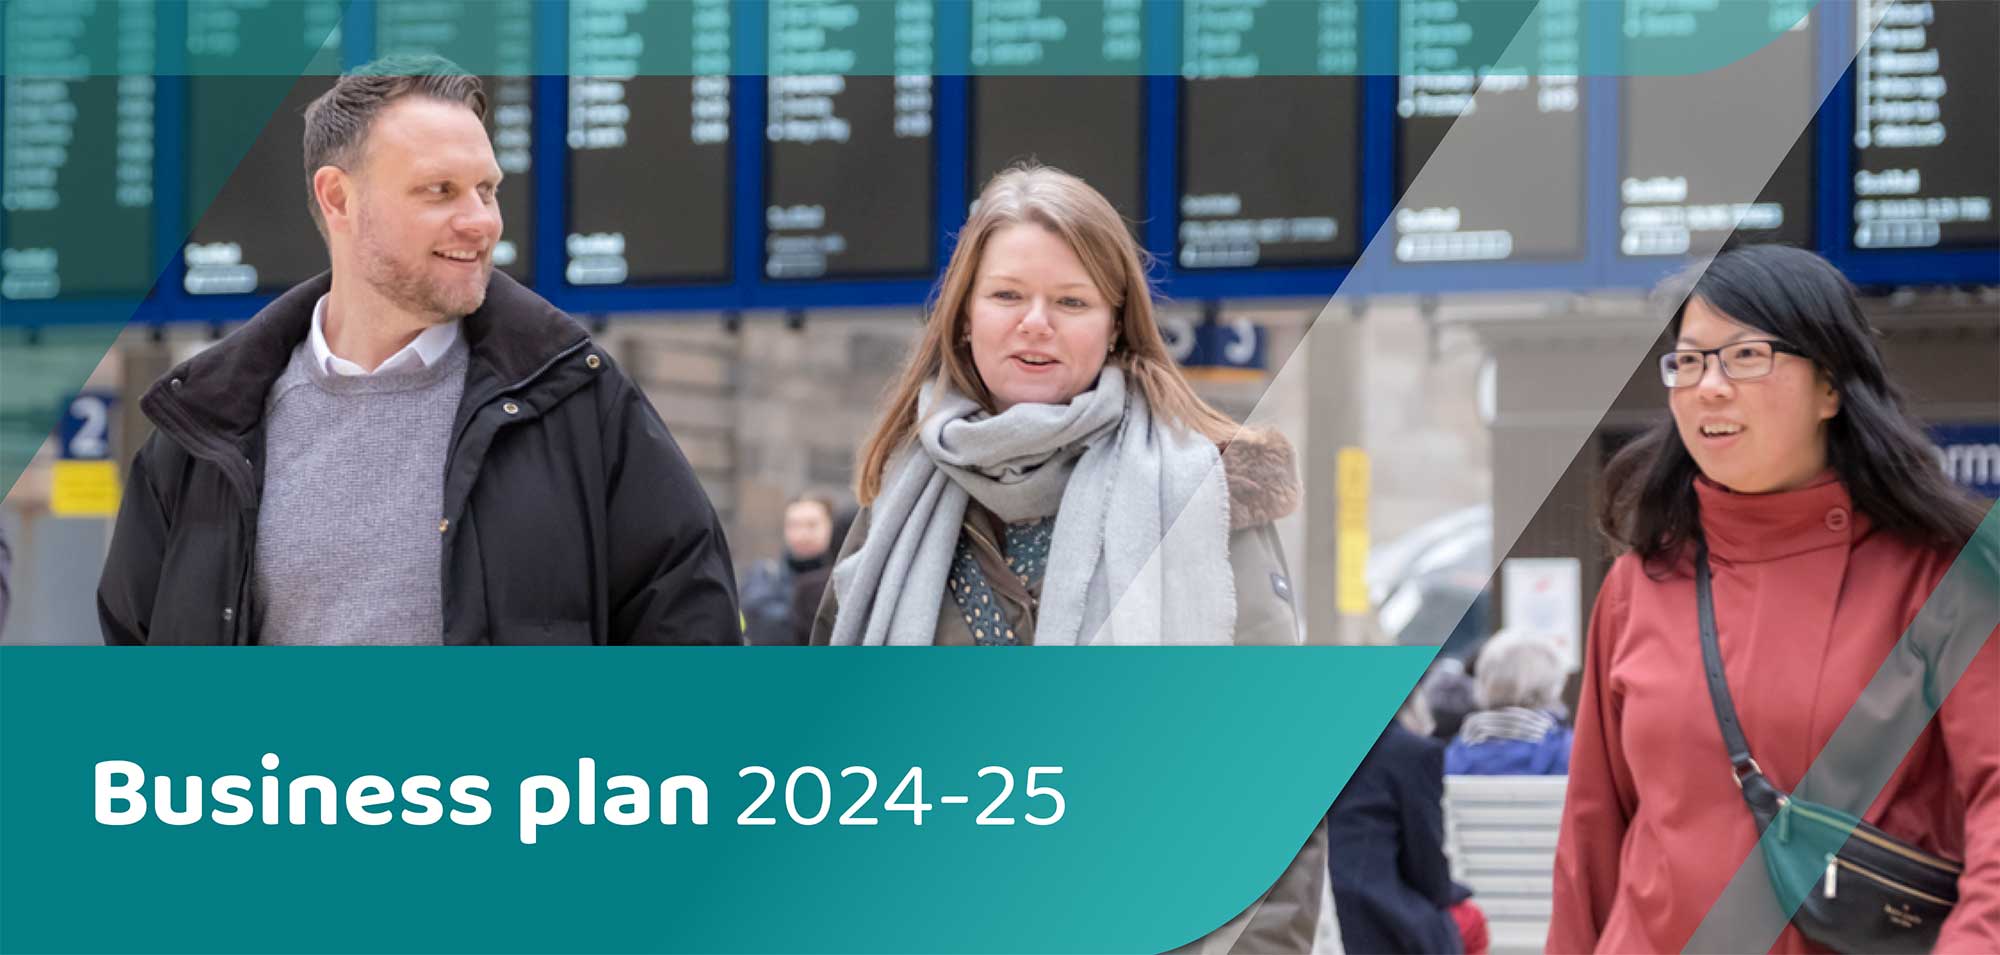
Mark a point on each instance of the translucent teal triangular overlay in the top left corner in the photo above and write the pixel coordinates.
(93, 217)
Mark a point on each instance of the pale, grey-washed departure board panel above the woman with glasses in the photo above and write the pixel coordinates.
(1683, 193)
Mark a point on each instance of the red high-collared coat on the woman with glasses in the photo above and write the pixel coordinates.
(1809, 604)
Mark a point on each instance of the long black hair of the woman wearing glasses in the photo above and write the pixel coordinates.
(1877, 449)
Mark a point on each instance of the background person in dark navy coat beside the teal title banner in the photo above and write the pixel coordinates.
(1385, 840)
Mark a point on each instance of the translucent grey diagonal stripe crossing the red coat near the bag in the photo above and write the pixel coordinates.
(1877, 734)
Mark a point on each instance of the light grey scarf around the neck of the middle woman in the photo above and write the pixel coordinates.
(1143, 522)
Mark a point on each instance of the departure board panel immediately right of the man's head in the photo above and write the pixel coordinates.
(497, 41)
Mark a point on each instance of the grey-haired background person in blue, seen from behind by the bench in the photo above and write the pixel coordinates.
(1519, 728)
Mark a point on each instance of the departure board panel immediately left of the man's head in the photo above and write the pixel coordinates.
(247, 183)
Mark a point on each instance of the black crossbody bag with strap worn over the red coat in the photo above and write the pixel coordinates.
(1857, 888)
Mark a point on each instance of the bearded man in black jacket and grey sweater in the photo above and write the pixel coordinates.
(411, 449)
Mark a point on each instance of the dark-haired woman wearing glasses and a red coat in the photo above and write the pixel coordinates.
(1789, 467)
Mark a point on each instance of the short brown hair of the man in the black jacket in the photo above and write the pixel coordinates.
(337, 123)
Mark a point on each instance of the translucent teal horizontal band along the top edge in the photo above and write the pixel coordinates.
(907, 37)
